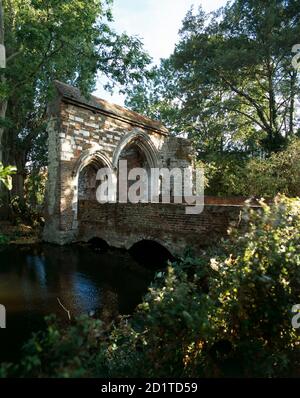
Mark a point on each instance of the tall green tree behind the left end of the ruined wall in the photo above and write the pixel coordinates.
(45, 40)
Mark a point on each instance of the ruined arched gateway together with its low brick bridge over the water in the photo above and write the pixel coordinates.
(88, 134)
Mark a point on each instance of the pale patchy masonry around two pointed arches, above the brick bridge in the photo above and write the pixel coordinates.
(74, 132)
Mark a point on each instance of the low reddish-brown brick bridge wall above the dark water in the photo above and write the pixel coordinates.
(123, 225)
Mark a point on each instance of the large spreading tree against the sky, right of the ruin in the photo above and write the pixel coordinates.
(235, 87)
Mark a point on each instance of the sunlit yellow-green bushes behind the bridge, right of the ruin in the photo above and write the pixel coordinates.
(237, 175)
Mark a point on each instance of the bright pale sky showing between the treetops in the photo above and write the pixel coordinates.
(157, 23)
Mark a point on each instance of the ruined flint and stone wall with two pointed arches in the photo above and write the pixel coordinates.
(83, 131)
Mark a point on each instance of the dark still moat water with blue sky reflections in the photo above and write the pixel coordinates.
(33, 277)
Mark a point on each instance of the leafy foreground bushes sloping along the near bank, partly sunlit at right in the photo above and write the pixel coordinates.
(226, 314)
